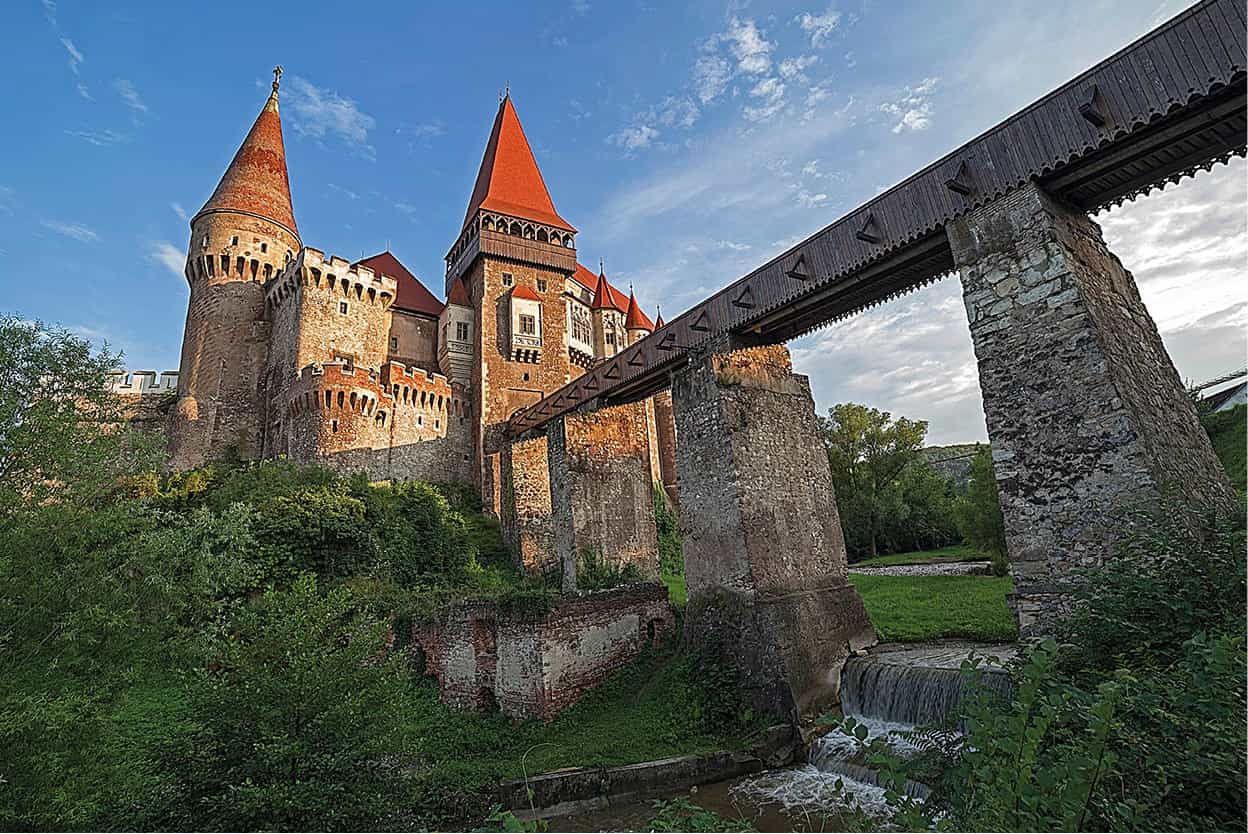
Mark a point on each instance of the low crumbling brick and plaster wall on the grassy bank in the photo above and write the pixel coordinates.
(539, 666)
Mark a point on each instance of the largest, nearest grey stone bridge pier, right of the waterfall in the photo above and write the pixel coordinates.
(1085, 411)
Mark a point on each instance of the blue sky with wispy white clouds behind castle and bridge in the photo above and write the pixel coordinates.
(688, 143)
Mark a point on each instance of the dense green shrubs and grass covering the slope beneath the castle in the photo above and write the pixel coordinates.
(218, 650)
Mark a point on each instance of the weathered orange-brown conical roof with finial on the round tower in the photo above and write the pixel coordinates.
(256, 182)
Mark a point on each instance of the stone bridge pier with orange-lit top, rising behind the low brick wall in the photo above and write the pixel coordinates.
(602, 486)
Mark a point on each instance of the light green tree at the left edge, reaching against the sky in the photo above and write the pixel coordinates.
(63, 434)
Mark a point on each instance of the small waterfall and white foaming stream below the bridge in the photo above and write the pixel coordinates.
(889, 694)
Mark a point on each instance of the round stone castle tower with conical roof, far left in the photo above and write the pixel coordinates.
(243, 237)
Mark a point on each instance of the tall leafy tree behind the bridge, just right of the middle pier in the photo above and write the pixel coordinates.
(868, 450)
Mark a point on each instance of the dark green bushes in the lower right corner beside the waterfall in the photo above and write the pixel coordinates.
(1133, 720)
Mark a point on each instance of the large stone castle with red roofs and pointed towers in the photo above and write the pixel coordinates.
(356, 365)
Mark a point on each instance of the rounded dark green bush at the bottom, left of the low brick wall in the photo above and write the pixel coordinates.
(294, 722)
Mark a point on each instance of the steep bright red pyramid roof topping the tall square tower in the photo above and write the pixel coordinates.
(510, 180)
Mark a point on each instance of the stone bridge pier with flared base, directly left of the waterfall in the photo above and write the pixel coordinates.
(764, 552)
